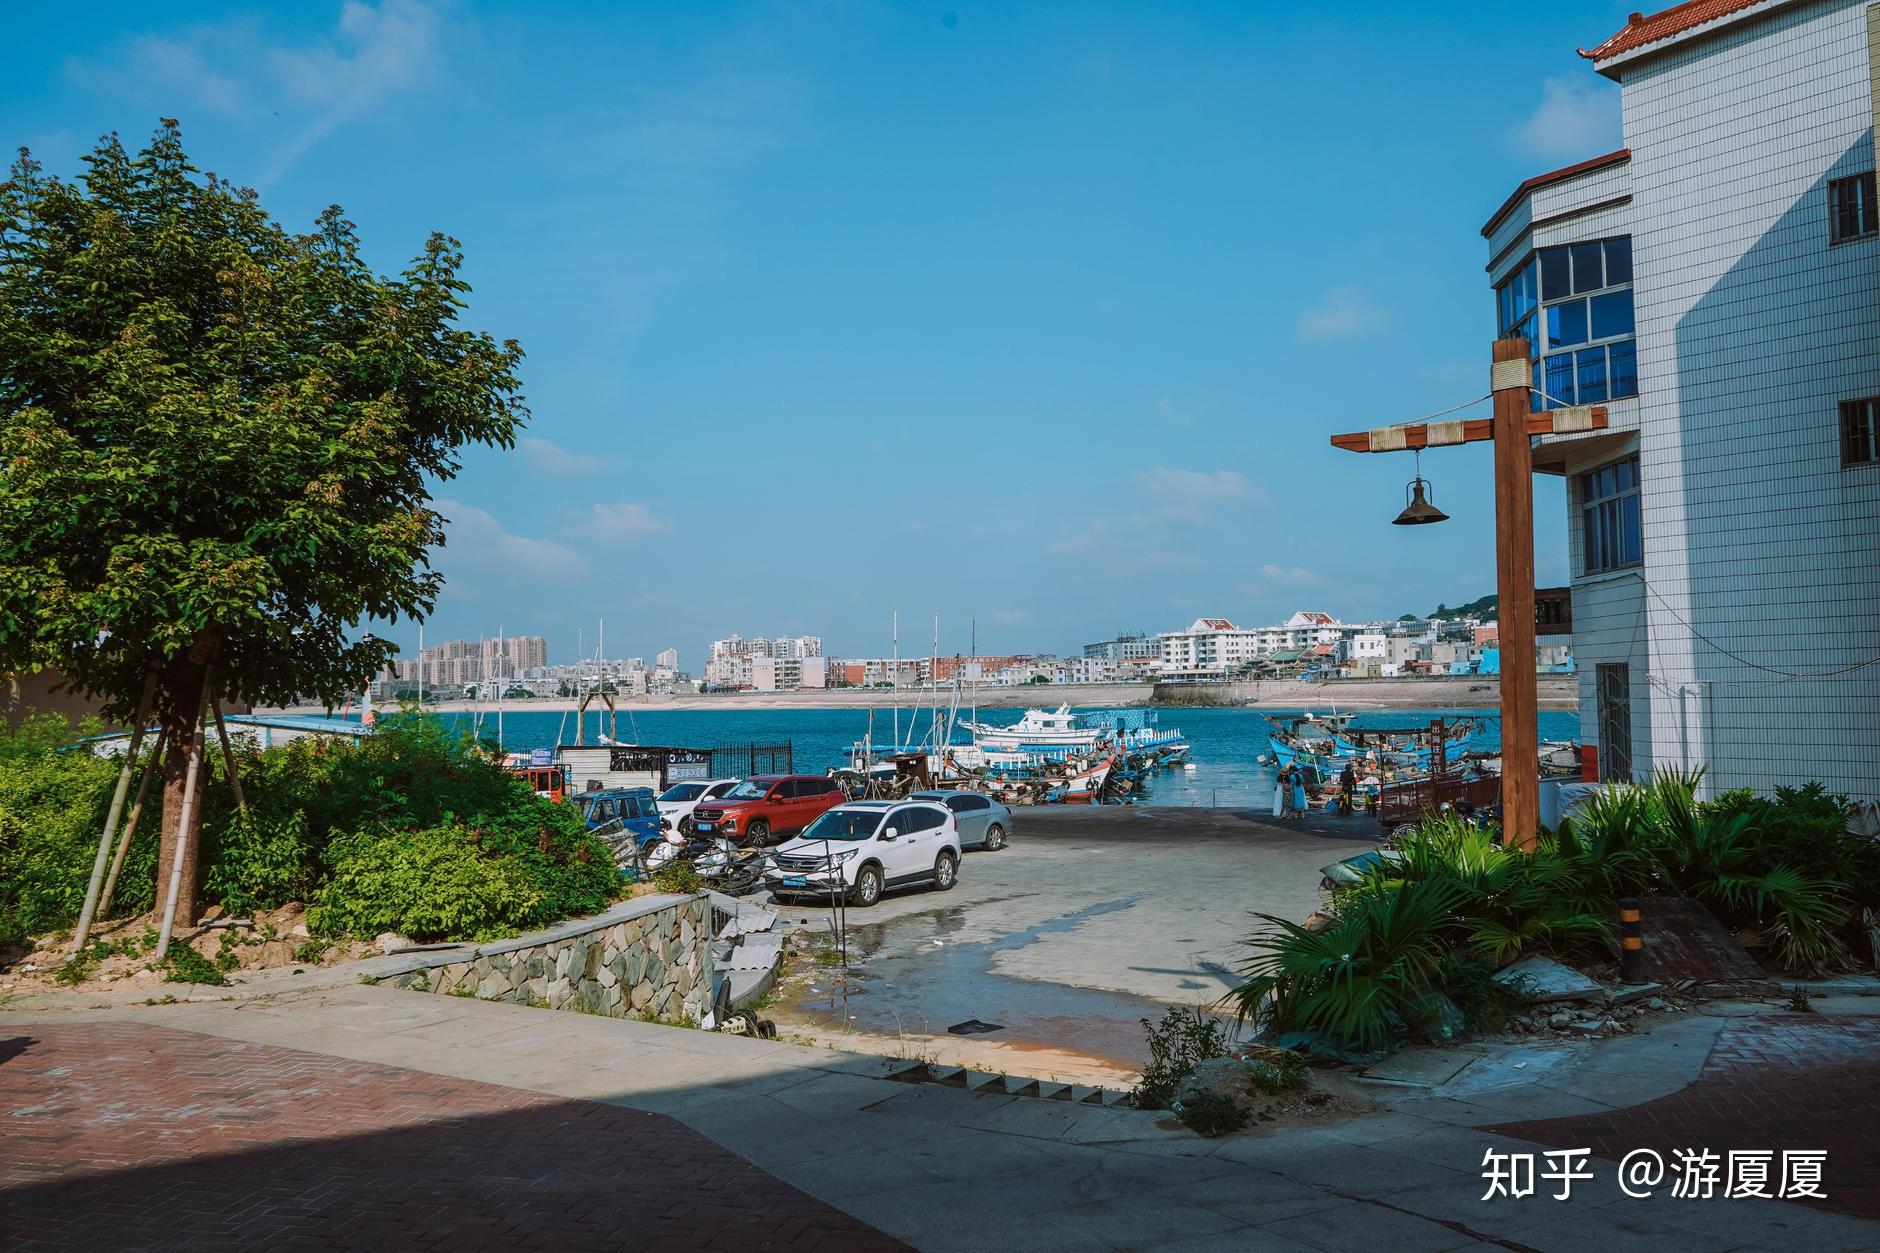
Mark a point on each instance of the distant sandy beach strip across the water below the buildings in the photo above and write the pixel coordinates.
(1422, 693)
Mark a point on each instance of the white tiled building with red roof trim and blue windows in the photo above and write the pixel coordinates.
(1715, 283)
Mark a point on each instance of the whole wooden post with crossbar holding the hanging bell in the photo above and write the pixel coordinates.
(1512, 426)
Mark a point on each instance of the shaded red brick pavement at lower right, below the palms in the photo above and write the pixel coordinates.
(1772, 1083)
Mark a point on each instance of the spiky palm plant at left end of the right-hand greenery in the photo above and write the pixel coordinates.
(1358, 981)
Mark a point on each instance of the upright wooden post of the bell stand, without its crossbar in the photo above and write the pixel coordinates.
(1514, 592)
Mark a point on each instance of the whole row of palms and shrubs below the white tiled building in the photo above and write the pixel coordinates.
(1439, 921)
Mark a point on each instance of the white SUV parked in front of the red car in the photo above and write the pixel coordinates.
(866, 848)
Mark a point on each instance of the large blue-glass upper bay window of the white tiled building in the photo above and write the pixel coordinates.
(1574, 306)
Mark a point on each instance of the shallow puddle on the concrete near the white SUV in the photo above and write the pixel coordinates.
(901, 981)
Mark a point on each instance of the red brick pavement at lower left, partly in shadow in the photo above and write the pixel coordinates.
(134, 1137)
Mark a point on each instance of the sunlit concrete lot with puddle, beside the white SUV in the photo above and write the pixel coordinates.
(1089, 921)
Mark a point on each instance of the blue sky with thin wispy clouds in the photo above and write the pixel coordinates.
(1033, 315)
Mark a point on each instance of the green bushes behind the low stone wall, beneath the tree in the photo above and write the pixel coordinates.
(415, 829)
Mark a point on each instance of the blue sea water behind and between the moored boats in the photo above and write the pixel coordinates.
(1227, 744)
